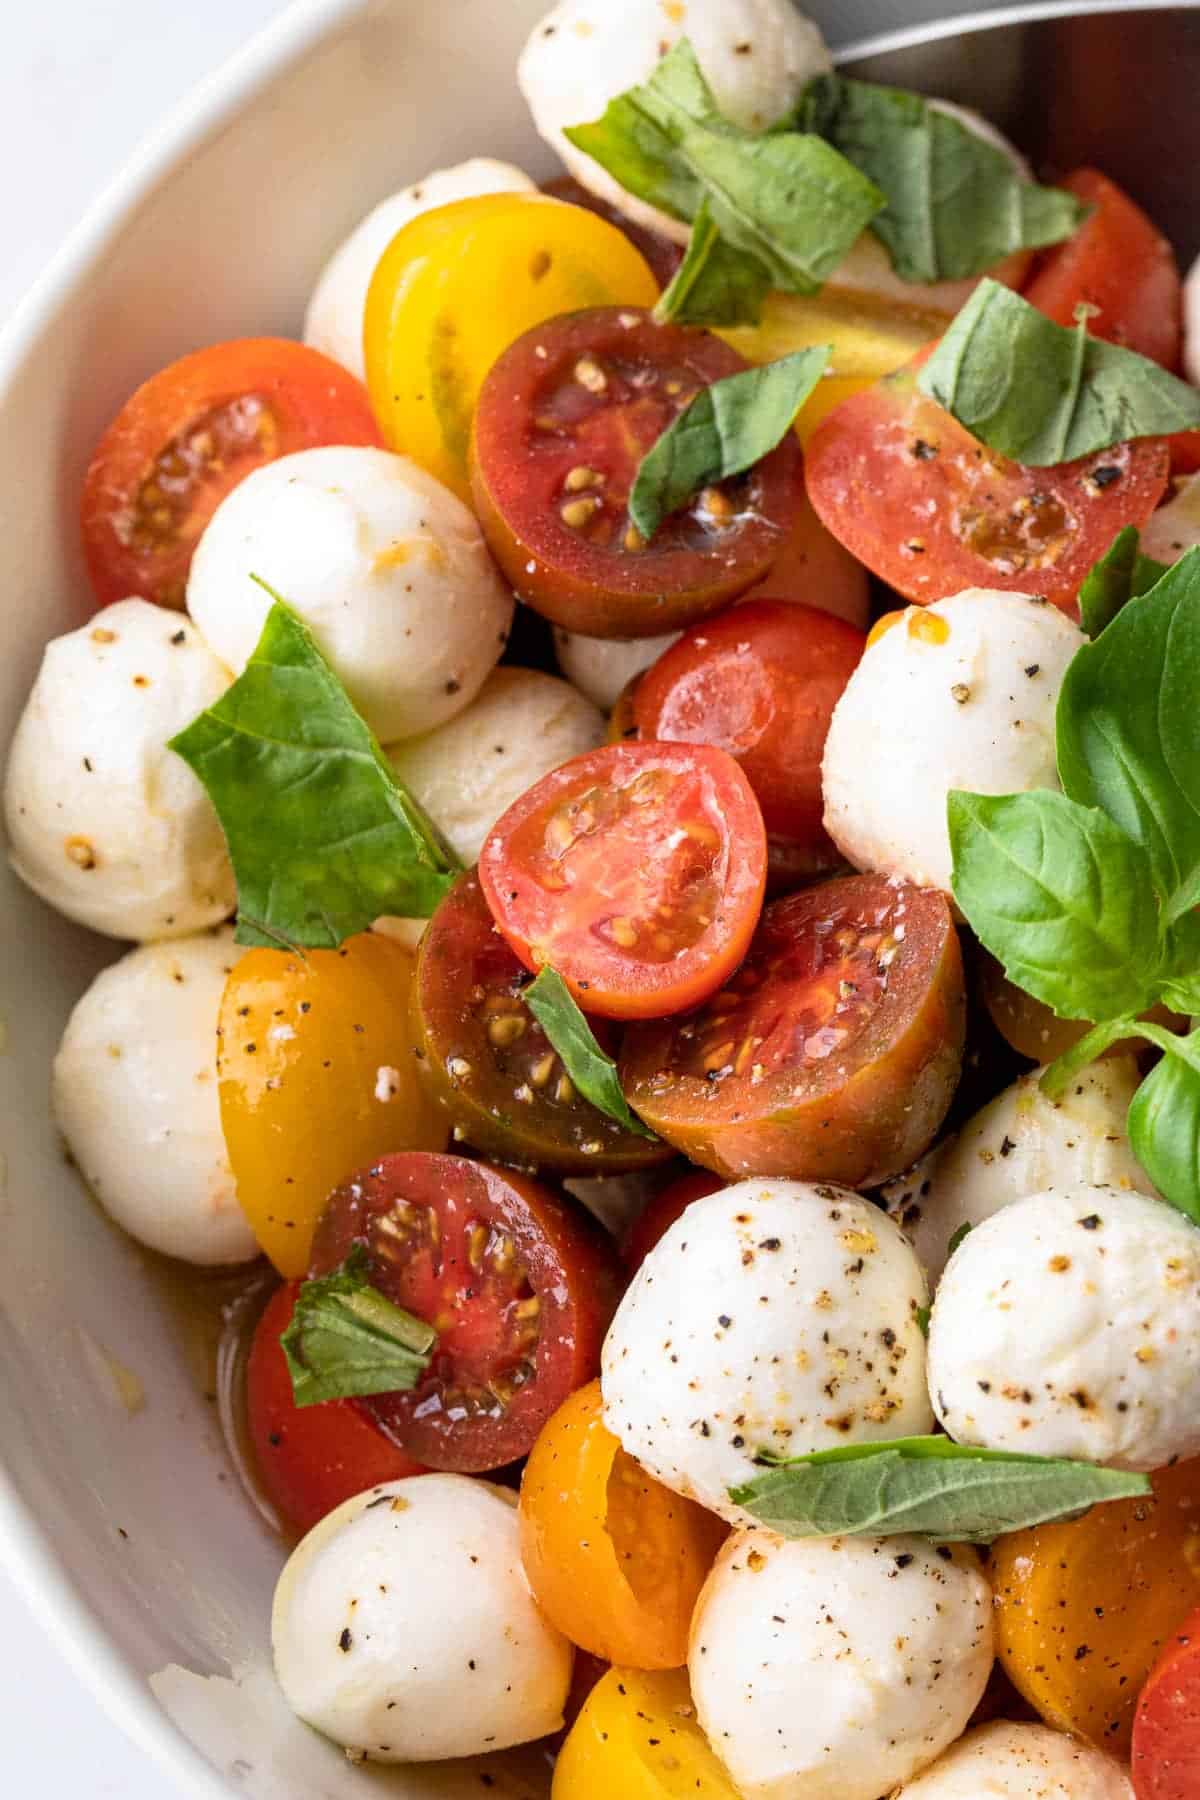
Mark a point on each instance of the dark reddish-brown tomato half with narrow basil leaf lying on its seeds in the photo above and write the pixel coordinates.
(562, 426)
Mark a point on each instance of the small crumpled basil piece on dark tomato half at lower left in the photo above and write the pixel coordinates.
(346, 1338)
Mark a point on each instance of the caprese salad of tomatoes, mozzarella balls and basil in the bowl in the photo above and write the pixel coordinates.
(724, 1117)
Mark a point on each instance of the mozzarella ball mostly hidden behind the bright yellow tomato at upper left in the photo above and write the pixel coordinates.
(336, 312)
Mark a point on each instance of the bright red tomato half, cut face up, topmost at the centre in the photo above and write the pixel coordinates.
(638, 872)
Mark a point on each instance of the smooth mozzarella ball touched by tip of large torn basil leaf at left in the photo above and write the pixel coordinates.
(384, 564)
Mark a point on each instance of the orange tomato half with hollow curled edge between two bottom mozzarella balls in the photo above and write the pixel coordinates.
(614, 1560)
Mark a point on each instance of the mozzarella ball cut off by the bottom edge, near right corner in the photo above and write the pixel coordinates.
(1007, 1761)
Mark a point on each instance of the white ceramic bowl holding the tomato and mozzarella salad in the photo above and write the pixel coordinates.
(127, 1531)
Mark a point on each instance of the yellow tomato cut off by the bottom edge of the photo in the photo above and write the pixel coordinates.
(638, 1740)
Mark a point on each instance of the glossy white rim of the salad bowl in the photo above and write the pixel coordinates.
(26, 1551)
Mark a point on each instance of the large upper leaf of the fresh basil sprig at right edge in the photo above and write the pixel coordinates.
(1129, 732)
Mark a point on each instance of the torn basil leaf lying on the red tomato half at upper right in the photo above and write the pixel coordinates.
(1043, 393)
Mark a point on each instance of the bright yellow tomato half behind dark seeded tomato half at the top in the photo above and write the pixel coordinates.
(461, 283)
